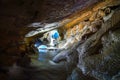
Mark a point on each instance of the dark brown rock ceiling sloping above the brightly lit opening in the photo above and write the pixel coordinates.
(15, 15)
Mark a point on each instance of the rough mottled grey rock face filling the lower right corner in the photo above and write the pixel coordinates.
(101, 59)
